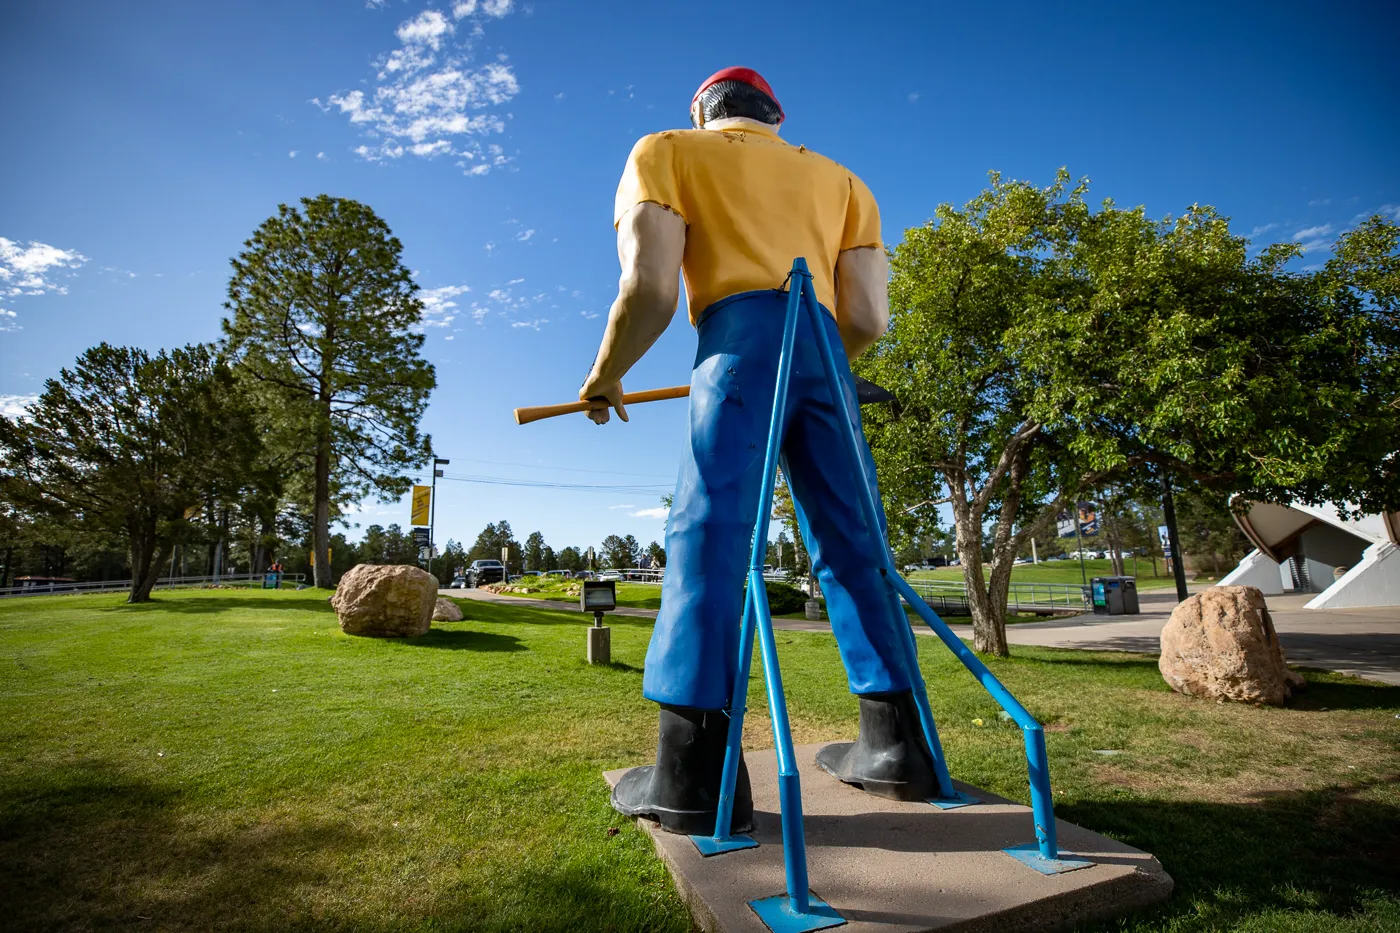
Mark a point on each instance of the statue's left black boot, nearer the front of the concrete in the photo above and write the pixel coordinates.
(682, 791)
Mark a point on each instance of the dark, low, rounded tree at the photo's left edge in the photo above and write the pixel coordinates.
(125, 443)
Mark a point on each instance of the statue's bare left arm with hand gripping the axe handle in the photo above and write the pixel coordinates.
(652, 242)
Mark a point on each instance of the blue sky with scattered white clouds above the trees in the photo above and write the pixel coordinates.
(146, 142)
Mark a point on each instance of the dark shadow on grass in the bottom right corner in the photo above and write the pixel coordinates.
(1332, 851)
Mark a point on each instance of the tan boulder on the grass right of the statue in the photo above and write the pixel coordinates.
(1221, 644)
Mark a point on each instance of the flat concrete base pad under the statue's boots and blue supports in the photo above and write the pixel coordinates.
(906, 868)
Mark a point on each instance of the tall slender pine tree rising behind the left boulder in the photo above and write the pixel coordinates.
(327, 320)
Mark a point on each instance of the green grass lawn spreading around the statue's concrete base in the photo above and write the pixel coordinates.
(232, 761)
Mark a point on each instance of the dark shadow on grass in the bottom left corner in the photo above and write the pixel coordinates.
(93, 850)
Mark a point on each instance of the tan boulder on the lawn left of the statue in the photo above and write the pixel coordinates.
(386, 602)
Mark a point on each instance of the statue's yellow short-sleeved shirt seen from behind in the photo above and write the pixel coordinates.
(751, 204)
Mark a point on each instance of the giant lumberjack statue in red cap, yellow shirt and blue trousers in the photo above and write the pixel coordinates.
(731, 205)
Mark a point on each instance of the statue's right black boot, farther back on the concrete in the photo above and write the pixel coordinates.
(891, 757)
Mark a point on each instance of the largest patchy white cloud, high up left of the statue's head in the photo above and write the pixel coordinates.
(429, 100)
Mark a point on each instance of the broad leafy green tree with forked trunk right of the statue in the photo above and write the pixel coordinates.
(1039, 351)
